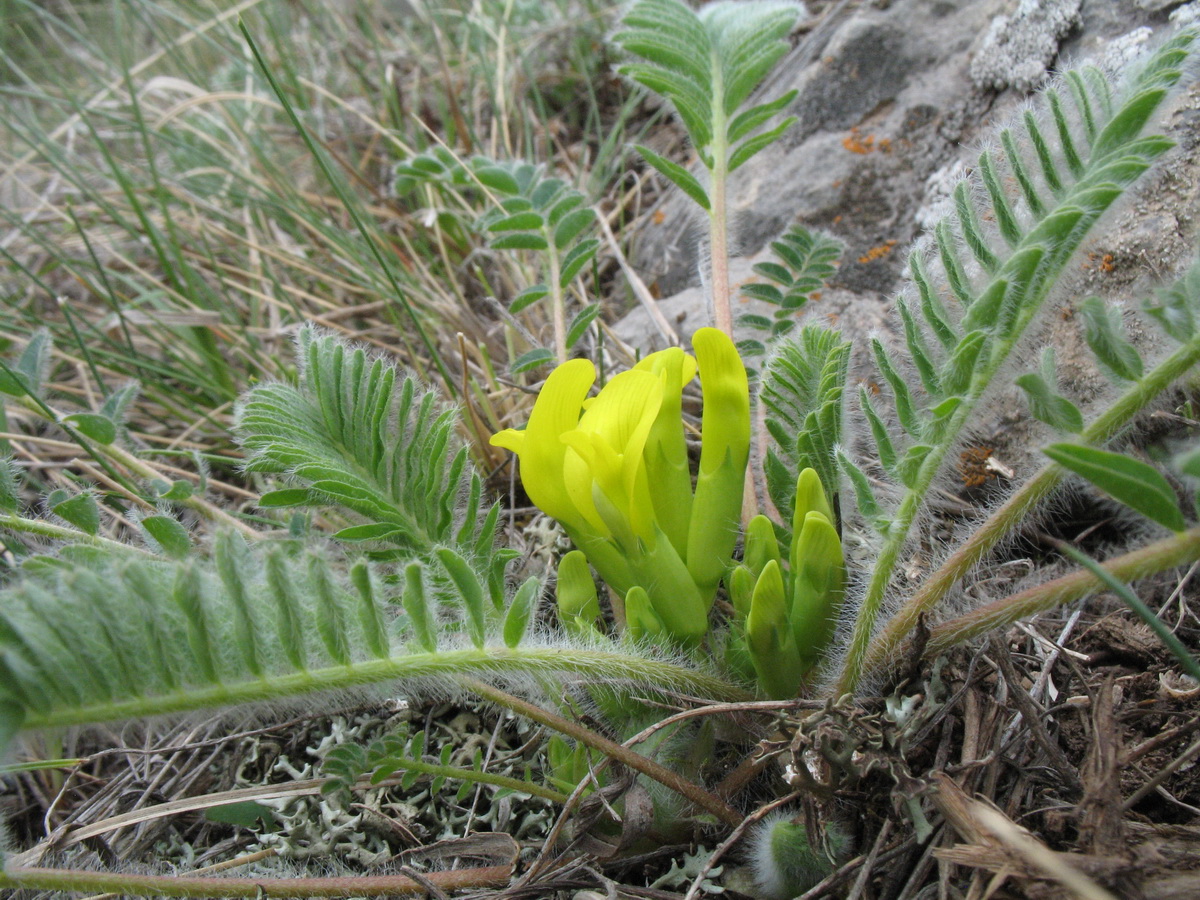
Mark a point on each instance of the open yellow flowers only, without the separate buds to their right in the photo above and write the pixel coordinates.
(614, 471)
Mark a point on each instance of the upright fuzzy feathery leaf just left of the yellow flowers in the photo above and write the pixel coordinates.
(364, 436)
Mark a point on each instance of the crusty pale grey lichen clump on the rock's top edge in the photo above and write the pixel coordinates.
(1019, 47)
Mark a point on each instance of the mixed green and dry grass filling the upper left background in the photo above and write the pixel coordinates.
(165, 220)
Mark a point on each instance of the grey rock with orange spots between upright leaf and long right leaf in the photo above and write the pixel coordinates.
(884, 103)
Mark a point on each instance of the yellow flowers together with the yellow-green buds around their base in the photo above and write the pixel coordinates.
(614, 471)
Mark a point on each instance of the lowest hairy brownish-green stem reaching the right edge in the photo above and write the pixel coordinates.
(1169, 554)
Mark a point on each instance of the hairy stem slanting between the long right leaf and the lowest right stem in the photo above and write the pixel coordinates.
(1013, 512)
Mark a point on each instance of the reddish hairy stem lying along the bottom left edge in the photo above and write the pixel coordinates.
(80, 881)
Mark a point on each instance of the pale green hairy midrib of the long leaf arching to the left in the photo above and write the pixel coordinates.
(597, 665)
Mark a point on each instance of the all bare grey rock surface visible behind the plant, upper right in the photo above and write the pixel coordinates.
(891, 118)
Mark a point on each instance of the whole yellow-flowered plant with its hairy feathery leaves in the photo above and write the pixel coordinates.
(394, 571)
